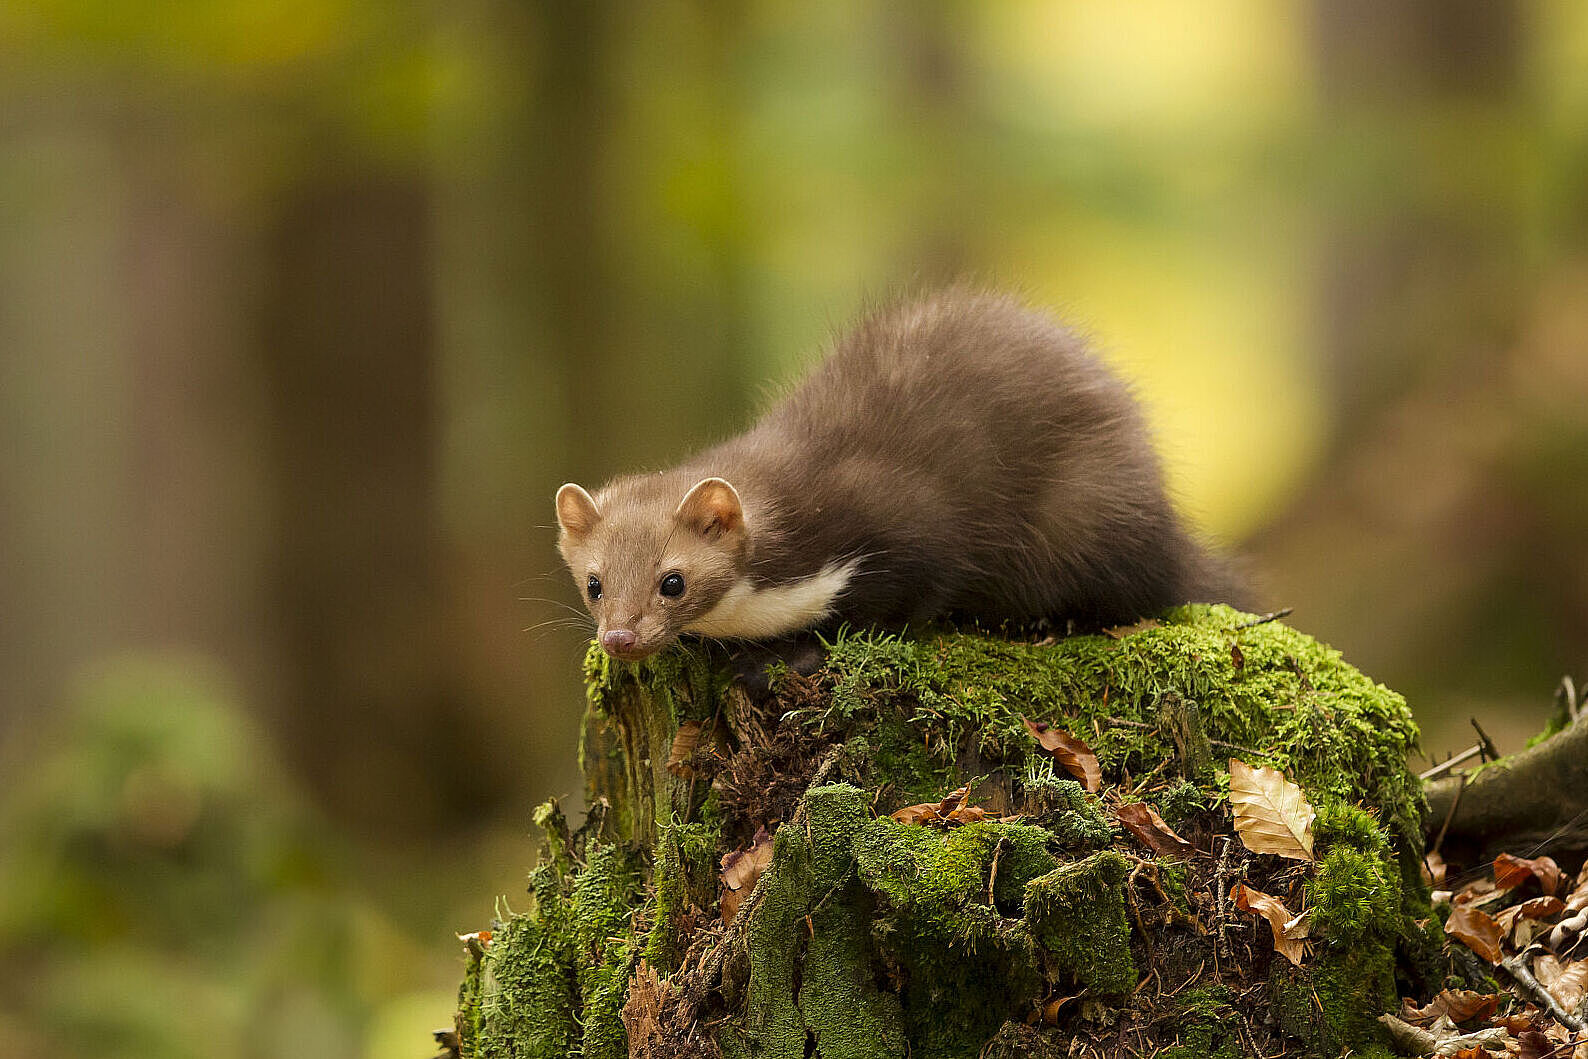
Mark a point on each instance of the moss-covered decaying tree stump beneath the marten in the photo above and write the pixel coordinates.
(1031, 933)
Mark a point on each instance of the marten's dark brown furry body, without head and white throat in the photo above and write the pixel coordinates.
(979, 461)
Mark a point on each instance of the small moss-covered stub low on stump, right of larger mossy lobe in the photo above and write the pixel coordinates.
(1077, 915)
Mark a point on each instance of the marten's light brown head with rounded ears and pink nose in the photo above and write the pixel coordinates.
(649, 563)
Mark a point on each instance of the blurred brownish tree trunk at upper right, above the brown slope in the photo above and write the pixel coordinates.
(1425, 280)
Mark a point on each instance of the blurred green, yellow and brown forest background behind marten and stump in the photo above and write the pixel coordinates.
(307, 309)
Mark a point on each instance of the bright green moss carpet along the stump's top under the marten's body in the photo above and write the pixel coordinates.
(1292, 699)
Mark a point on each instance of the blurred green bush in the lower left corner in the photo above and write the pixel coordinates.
(166, 893)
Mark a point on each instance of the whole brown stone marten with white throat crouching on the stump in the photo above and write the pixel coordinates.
(954, 456)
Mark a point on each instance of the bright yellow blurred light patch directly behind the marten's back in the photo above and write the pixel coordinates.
(1211, 342)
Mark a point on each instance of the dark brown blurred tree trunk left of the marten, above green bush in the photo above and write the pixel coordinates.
(372, 704)
